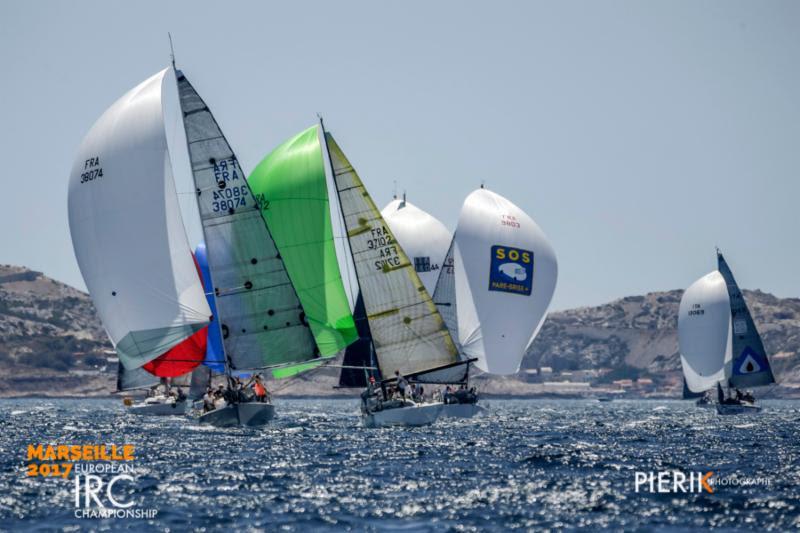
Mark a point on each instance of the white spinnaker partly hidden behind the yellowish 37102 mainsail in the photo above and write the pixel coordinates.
(422, 236)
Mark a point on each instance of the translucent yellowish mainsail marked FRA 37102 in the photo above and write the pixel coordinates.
(407, 332)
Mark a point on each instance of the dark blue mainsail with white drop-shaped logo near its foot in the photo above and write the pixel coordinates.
(750, 366)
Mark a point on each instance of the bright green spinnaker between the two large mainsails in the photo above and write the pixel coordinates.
(291, 187)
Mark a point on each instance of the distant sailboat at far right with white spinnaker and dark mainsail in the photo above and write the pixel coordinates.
(719, 343)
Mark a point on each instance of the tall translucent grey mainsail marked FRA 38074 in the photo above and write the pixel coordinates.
(262, 321)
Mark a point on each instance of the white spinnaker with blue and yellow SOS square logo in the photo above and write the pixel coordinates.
(497, 326)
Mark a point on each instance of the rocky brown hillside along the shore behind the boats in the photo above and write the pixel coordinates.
(52, 343)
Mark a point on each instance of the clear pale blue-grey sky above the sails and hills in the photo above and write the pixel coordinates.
(639, 135)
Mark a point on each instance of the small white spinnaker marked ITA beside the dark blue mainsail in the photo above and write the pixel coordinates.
(704, 332)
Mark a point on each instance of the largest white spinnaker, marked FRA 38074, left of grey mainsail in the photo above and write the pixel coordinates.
(127, 231)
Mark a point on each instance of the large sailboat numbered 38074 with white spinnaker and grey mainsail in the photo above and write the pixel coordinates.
(131, 245)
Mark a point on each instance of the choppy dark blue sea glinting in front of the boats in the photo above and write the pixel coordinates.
(529, 464)
